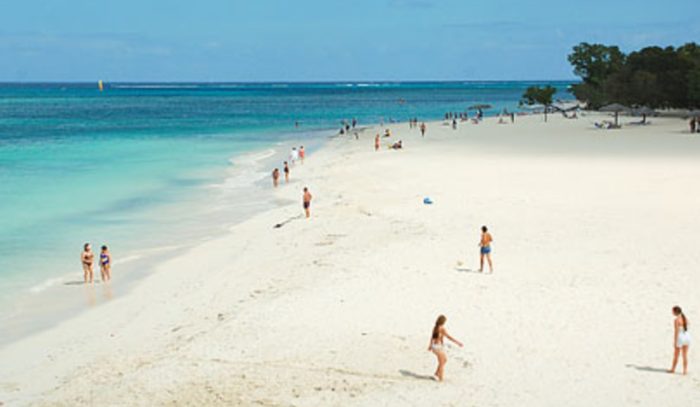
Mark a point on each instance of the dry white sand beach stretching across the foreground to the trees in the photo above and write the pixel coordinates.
(595, 238)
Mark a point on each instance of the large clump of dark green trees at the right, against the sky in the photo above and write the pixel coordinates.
(655, 77)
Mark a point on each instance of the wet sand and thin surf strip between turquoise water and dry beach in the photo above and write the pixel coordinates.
(36, 307)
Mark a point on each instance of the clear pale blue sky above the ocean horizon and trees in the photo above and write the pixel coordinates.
(323, 40)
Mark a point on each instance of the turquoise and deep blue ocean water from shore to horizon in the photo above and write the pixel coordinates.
(147, 167)
